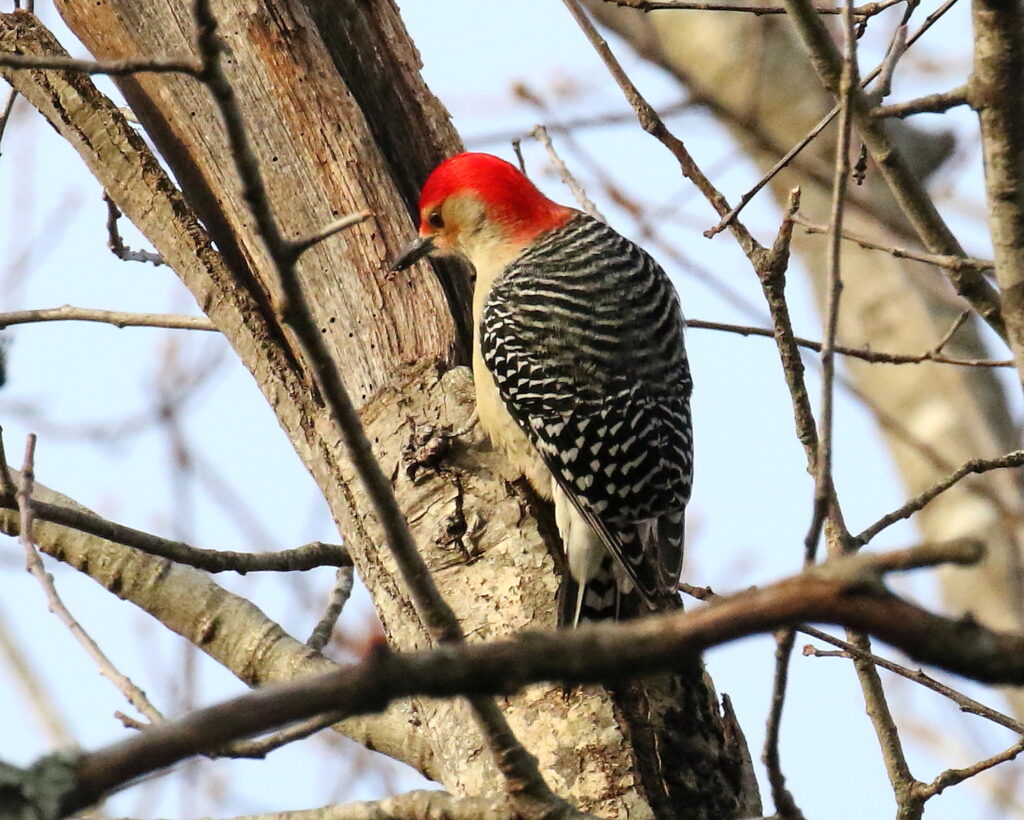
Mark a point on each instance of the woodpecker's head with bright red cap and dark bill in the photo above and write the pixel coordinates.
(476, 206)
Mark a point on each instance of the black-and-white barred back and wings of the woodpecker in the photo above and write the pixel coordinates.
(584, 337)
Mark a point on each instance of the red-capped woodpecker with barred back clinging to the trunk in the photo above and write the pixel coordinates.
(581, 375)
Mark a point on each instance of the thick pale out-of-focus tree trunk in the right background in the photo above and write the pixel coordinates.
(934, 417)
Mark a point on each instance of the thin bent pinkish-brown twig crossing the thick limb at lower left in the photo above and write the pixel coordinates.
(35, 566)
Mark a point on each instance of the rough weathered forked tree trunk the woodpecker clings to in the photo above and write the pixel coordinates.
(342, 122)
